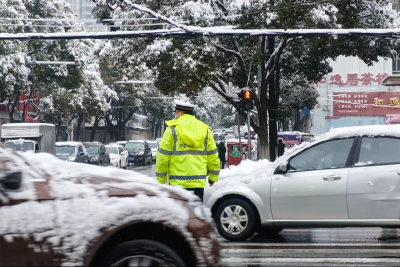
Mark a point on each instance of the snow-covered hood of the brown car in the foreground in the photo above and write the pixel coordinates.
(72, 180)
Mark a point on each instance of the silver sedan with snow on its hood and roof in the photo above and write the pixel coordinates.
(348, 177)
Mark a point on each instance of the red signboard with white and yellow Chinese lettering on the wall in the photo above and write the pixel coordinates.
(365, 104)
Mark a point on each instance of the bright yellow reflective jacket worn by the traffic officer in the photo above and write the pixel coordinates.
(186, 150)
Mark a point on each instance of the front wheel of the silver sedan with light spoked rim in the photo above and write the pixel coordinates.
(235, 220)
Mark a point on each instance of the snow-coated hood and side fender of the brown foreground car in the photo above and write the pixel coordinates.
(83, 202)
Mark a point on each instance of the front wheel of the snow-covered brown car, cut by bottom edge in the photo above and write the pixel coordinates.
(143, 253)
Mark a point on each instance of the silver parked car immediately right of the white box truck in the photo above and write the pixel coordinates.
(72, 151)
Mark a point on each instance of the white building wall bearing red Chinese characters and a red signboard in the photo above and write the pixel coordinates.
(353, 95)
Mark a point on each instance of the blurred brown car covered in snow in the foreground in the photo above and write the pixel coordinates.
(56, 213)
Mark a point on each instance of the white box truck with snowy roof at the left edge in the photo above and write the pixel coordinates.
(38, 137)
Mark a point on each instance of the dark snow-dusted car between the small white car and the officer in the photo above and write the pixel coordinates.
(139, 152)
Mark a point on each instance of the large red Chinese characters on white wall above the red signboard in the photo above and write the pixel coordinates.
(354, 80)
